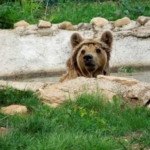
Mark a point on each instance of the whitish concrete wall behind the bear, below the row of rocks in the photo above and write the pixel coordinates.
(24, 51)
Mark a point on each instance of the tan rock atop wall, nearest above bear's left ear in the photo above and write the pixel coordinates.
(66, 25)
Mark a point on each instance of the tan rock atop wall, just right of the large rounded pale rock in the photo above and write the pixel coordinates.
(122, 22)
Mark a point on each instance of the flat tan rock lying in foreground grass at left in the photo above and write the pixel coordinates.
(12, 109)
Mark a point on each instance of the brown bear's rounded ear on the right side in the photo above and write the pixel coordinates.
(107, 38)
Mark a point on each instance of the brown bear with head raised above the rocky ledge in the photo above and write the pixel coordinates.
(89, 57)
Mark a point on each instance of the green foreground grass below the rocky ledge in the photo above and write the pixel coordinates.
(85, 124)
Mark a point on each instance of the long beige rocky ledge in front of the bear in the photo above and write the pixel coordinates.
(131, 91)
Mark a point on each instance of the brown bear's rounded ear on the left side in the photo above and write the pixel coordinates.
(75, 39)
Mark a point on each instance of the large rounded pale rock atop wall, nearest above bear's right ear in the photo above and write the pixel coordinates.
(98, 21)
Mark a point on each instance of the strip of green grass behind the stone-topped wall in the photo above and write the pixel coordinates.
(73, 11)
